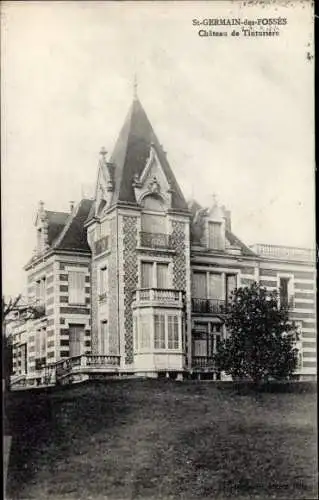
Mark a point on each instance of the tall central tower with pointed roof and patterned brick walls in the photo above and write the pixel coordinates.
(138, 231)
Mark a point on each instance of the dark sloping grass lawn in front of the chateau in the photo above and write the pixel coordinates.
(159, 439)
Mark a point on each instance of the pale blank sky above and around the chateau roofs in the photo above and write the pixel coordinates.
(235, 115)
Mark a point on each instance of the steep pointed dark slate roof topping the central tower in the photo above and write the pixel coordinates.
(131, 153)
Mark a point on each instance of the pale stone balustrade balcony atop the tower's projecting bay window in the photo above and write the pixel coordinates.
(158, 296)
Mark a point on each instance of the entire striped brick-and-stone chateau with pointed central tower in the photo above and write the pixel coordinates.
(132, 282)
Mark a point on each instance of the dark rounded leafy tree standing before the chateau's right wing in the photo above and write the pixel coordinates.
(261, 341)
